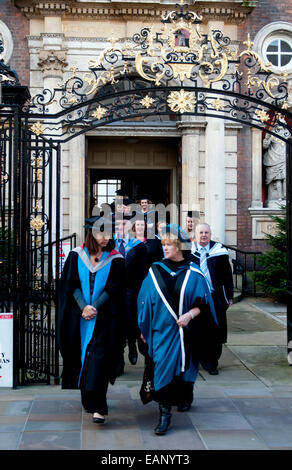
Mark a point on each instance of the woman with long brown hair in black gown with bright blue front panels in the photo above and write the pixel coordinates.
(91, 322)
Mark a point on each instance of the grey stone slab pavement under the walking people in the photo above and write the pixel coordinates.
(248, 406)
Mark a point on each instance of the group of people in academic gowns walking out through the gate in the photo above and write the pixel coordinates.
(137, 286)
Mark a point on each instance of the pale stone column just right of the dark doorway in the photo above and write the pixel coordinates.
(190, 167)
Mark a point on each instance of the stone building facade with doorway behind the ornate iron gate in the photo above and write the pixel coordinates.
(210, 166)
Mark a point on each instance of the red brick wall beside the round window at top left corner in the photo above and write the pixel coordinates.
(19, 28)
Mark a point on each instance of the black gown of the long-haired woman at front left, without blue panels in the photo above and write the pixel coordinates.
(106, 346)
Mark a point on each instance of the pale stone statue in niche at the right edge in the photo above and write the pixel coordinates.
(274, 161)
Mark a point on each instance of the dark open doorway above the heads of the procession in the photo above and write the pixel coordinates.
(136, 183)
